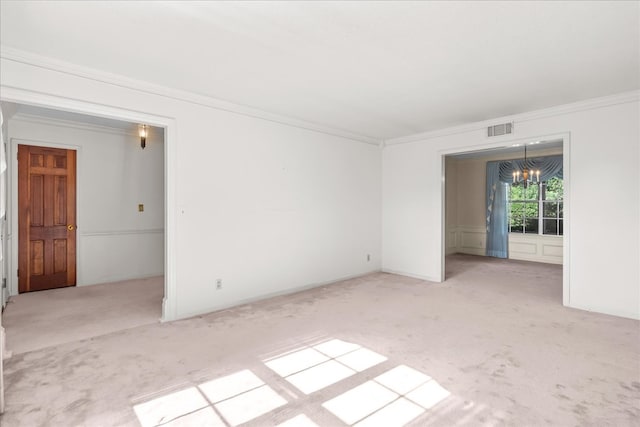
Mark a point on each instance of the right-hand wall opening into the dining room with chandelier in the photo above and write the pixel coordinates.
(534, 219)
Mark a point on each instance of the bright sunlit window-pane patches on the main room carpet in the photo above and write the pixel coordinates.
(394, 398)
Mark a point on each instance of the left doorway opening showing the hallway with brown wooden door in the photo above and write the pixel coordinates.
(107, 233)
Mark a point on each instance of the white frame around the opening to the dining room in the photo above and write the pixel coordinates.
(504, 142)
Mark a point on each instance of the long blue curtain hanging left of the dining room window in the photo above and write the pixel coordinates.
(497, 227)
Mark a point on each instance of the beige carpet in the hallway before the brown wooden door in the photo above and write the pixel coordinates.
(36, 320)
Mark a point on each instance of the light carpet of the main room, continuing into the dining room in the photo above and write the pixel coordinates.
(490, 346)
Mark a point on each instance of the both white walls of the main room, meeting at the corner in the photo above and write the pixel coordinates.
(270, 208)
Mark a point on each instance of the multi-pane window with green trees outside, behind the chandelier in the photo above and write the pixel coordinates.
(537, 209)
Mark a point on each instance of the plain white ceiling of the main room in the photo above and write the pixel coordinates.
(378, 69)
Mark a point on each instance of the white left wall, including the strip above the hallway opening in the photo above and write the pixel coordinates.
(266, 207)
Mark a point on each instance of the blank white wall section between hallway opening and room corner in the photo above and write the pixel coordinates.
(269, 208)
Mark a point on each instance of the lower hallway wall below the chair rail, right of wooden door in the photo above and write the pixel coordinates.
(112, 256)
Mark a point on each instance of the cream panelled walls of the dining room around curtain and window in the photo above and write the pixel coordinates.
(466, 212)
